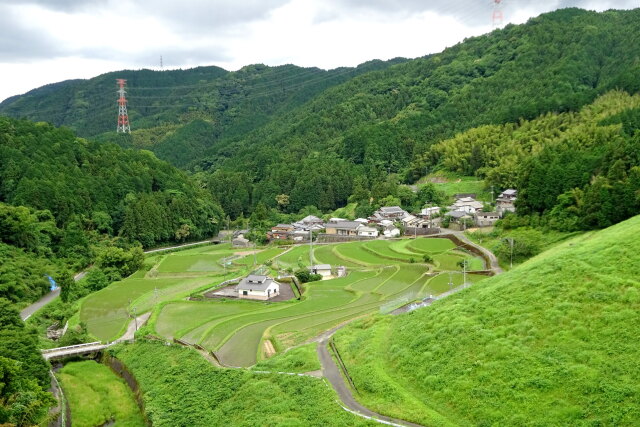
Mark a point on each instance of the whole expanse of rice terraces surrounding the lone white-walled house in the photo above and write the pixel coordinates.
(381, 275)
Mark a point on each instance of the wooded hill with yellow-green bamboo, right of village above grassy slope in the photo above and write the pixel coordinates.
(574, 170)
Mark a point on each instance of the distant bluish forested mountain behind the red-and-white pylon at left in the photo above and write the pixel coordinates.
(162, 102)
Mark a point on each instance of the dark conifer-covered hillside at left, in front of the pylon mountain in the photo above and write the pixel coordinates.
(93, 186)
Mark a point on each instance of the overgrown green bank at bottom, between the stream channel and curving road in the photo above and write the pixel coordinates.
(180, 387)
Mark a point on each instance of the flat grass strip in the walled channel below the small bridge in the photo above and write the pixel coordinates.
(97, 396)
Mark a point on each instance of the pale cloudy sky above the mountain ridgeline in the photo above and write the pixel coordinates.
(46, 41)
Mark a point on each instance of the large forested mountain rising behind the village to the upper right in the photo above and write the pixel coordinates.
(384, 121)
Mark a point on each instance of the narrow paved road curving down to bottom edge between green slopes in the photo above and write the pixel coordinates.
(332, 373)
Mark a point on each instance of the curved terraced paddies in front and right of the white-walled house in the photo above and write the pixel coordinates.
(379, 271)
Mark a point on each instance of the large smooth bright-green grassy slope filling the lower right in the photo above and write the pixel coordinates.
(551, 342)
